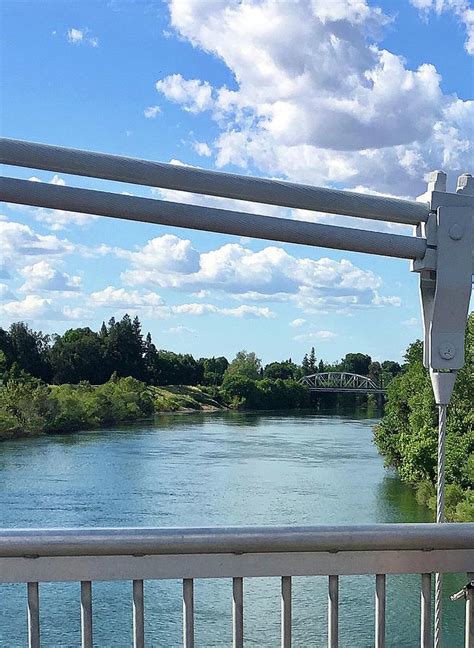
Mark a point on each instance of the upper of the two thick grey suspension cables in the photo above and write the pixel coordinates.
(212, 183)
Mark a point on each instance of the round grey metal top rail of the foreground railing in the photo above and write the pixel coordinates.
(237, 540)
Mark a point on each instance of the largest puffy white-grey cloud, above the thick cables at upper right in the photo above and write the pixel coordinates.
(336, 108)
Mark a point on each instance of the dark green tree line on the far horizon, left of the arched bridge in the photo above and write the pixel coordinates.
(120, 348)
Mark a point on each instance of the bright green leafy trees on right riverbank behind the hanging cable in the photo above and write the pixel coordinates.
(408, 435)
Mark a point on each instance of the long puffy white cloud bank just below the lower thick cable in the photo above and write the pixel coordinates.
(270, 274)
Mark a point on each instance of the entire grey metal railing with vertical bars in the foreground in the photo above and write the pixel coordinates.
(49, 555)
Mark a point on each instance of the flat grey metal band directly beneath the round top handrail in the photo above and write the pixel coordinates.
(228, 565)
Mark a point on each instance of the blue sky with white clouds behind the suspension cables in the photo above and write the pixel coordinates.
(351, 94)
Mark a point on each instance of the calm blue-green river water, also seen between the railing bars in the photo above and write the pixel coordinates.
(213, 470)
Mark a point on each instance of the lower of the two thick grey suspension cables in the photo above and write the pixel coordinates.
(210, 219)
